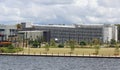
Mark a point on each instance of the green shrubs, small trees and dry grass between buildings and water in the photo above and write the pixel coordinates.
(68, 48)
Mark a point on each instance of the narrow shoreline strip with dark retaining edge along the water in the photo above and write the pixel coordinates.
(58, 55)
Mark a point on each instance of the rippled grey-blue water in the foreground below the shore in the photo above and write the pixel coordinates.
(57, 63)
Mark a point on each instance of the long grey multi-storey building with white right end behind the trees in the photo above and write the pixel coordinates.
(78, 32)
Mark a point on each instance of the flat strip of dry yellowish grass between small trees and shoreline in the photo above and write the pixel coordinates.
(78, 51)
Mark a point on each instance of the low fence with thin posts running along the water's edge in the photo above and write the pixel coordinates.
(59, 55)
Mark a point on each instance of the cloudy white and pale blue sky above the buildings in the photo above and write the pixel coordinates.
(60, 11)
